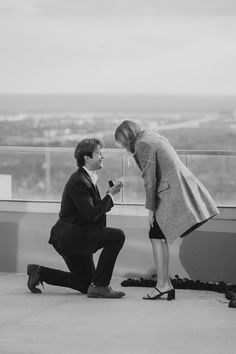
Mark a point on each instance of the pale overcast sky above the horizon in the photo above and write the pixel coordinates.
(118, 46)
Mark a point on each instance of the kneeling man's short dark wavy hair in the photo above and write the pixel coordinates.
(86, 147)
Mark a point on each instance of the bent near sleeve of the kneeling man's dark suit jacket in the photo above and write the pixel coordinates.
(83, 200)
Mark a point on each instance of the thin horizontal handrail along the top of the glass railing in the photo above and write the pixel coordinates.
(110, 150)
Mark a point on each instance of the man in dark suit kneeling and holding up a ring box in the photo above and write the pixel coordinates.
(81, 231)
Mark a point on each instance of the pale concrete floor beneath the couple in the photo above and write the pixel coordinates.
(63, 321)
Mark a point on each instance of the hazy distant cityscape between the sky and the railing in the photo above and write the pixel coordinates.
(188, 122)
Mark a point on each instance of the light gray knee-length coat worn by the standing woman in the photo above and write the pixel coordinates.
(180, 201)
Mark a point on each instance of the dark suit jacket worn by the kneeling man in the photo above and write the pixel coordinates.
(82, 216)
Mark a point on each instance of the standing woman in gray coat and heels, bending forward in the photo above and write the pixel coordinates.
(177, 201)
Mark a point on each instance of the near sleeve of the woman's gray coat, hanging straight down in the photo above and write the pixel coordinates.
(150, 173)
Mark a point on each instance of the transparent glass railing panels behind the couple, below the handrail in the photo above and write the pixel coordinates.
(39, 173)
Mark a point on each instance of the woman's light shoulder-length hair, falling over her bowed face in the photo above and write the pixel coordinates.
(126, 133)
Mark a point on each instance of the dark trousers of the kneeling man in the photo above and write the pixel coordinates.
(82, 269)
